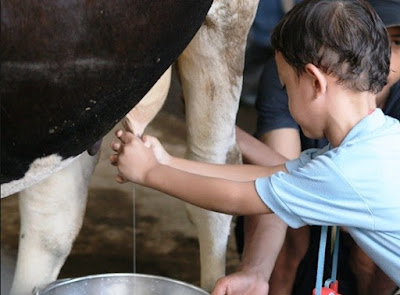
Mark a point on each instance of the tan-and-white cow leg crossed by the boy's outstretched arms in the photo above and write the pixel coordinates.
(211, 70)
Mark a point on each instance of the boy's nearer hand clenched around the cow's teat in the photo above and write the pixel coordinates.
(133, 158)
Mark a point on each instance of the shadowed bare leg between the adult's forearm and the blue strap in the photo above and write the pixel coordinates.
(292, 253)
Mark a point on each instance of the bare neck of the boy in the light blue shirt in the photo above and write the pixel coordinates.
(347, 109)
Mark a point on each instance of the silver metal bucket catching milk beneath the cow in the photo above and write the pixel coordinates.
(120, 284)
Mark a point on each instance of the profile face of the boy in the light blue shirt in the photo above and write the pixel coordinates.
(300, 93)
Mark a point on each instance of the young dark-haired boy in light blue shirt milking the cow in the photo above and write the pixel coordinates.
(332, 57)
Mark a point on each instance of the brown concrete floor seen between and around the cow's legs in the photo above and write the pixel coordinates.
(129, 228)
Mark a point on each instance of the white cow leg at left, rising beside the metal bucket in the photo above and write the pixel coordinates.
(51, 217)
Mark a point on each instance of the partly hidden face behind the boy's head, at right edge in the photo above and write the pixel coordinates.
(394, 75)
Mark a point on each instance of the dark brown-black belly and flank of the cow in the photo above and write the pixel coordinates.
(71, 70)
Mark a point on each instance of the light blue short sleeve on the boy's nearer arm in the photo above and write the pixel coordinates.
(314, 192)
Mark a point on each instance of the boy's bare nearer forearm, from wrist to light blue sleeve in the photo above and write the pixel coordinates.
(210, 193)
